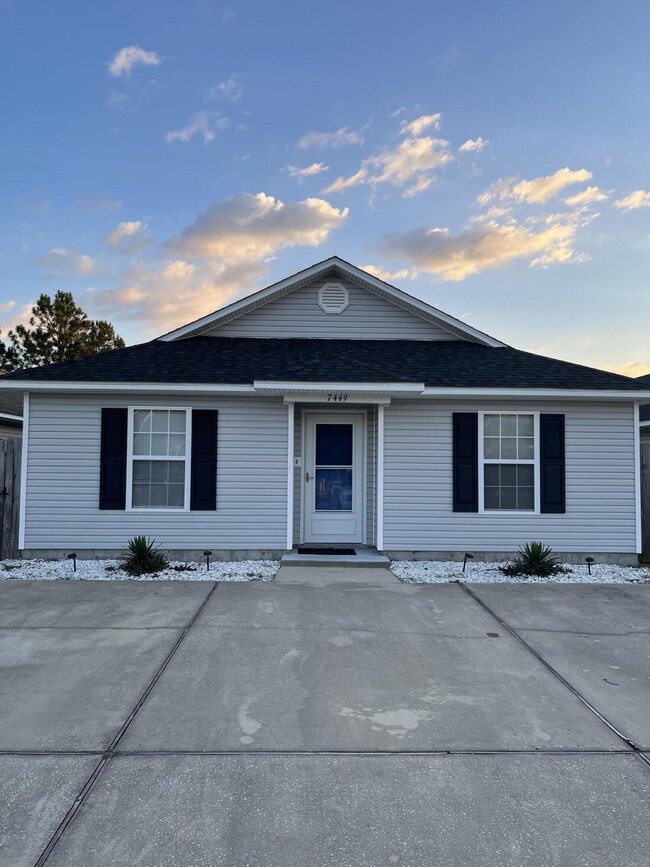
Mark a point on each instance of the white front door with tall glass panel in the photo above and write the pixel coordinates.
(333, 478)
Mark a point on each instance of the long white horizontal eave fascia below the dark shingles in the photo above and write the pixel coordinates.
(245, 389)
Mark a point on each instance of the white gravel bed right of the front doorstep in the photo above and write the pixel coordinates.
(434, 572)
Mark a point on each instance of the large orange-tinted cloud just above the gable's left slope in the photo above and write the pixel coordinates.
(253, 227)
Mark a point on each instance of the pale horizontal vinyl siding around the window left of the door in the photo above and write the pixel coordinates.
(62, 509)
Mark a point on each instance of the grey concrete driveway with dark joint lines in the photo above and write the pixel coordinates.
(326, 718)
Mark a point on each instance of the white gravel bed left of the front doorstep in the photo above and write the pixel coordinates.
(111, 570)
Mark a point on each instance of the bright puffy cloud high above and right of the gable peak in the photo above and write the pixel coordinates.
(412, 164)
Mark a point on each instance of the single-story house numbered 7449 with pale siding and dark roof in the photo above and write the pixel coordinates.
(329, 408)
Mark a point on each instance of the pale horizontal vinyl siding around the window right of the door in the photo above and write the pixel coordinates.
(600, 491)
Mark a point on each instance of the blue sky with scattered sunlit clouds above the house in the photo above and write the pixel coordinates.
(163, 158)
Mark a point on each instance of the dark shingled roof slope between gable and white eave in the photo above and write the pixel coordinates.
(231, 360)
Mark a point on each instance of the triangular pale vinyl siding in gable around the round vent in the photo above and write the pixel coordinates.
(298, 314)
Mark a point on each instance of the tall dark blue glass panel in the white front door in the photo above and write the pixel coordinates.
(333, 470)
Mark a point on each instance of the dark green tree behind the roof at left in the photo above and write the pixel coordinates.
(58, 330)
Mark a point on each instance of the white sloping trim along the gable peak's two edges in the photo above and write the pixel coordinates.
(366, 280)
